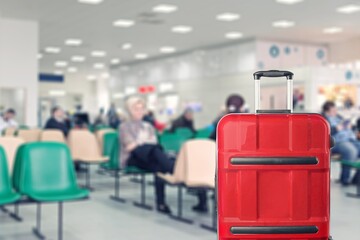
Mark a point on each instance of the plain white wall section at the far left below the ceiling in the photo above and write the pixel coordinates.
(18, 62)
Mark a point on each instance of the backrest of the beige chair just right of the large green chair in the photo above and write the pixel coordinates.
(83, 145)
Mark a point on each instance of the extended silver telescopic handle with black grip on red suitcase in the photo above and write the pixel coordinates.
(289, 96)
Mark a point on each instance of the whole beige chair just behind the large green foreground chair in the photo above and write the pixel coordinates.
(85, 149)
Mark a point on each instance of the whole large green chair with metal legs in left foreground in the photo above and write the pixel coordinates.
(45, 173)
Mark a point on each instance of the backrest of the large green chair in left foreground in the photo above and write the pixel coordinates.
(45, 167)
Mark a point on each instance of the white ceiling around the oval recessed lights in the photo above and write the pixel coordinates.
(63, 19)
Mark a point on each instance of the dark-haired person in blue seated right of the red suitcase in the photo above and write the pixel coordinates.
(345, 141)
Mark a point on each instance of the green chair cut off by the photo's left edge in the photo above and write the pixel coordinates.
(7, 194)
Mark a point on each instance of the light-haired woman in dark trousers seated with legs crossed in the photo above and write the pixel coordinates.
(139, 147)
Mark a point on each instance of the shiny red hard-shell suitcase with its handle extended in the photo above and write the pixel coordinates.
(273, 173)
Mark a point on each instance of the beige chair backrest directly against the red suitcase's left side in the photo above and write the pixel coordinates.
(200, 157)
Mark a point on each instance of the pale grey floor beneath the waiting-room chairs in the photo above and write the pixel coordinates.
(100, 218)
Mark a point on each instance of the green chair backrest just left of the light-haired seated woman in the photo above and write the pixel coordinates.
(111, 148)
